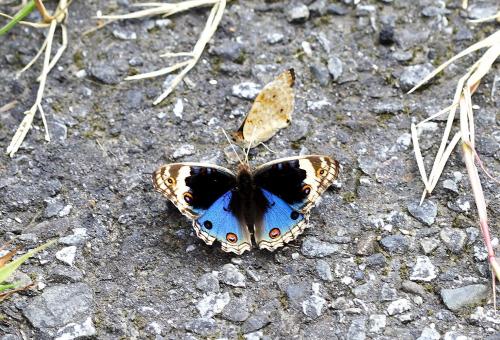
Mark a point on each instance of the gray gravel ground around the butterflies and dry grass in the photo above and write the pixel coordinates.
(374, 264)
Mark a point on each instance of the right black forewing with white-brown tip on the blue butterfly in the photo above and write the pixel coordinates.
(299, 181)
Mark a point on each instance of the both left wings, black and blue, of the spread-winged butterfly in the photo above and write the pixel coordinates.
(202, 192)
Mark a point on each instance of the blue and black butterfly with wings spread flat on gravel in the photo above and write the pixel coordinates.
(272, 202)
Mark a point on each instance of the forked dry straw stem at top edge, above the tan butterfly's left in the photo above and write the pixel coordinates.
(165, 10)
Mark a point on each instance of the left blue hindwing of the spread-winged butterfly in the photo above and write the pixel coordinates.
(219, 223)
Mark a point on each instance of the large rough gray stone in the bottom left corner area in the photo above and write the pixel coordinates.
(60, 305)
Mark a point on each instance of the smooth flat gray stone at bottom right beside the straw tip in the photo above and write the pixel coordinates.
(457, 298)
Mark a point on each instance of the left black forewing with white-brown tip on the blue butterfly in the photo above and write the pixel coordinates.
(193, 187)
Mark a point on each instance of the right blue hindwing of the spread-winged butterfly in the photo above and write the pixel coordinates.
(280, 223)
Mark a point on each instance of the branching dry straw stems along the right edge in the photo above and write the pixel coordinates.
(466, 87)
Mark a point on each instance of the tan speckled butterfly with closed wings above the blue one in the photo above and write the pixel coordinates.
(271, 111)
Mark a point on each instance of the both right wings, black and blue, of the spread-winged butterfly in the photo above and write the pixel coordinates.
(291, 186)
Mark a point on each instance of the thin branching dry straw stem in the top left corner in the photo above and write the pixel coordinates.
(58, 19)
